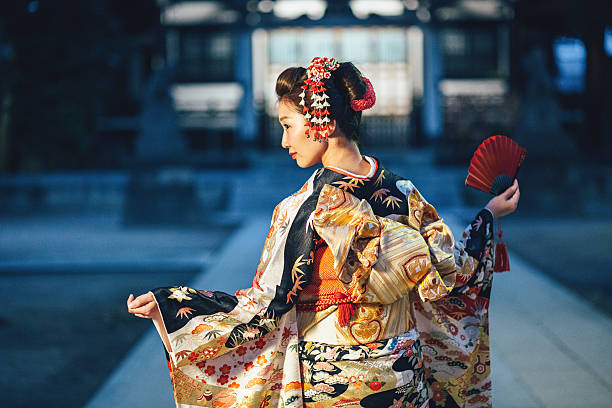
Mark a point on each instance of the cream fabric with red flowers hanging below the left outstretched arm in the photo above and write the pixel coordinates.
(245, 376)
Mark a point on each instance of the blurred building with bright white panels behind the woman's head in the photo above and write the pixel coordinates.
(228, 55)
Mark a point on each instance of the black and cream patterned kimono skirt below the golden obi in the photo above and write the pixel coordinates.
(335, 376)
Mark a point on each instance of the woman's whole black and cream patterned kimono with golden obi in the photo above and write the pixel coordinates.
(361, 297)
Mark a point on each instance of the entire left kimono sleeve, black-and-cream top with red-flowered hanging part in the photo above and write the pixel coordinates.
(243, 348)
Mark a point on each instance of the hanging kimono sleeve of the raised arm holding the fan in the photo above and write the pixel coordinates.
(454, 331)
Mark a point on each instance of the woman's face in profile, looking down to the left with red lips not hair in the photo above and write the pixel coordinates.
(306, 151)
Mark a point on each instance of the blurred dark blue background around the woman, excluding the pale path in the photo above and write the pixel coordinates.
(137, 136)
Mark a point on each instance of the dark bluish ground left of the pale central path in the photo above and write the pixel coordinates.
(64, 281)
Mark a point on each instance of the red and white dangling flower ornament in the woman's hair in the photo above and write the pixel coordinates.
(317, 116)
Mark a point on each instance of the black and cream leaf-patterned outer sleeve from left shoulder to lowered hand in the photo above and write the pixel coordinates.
(210, 323)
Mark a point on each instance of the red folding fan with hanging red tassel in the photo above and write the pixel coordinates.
(493, 169)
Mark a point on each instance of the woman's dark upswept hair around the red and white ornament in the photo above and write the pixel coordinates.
(344, 85)
